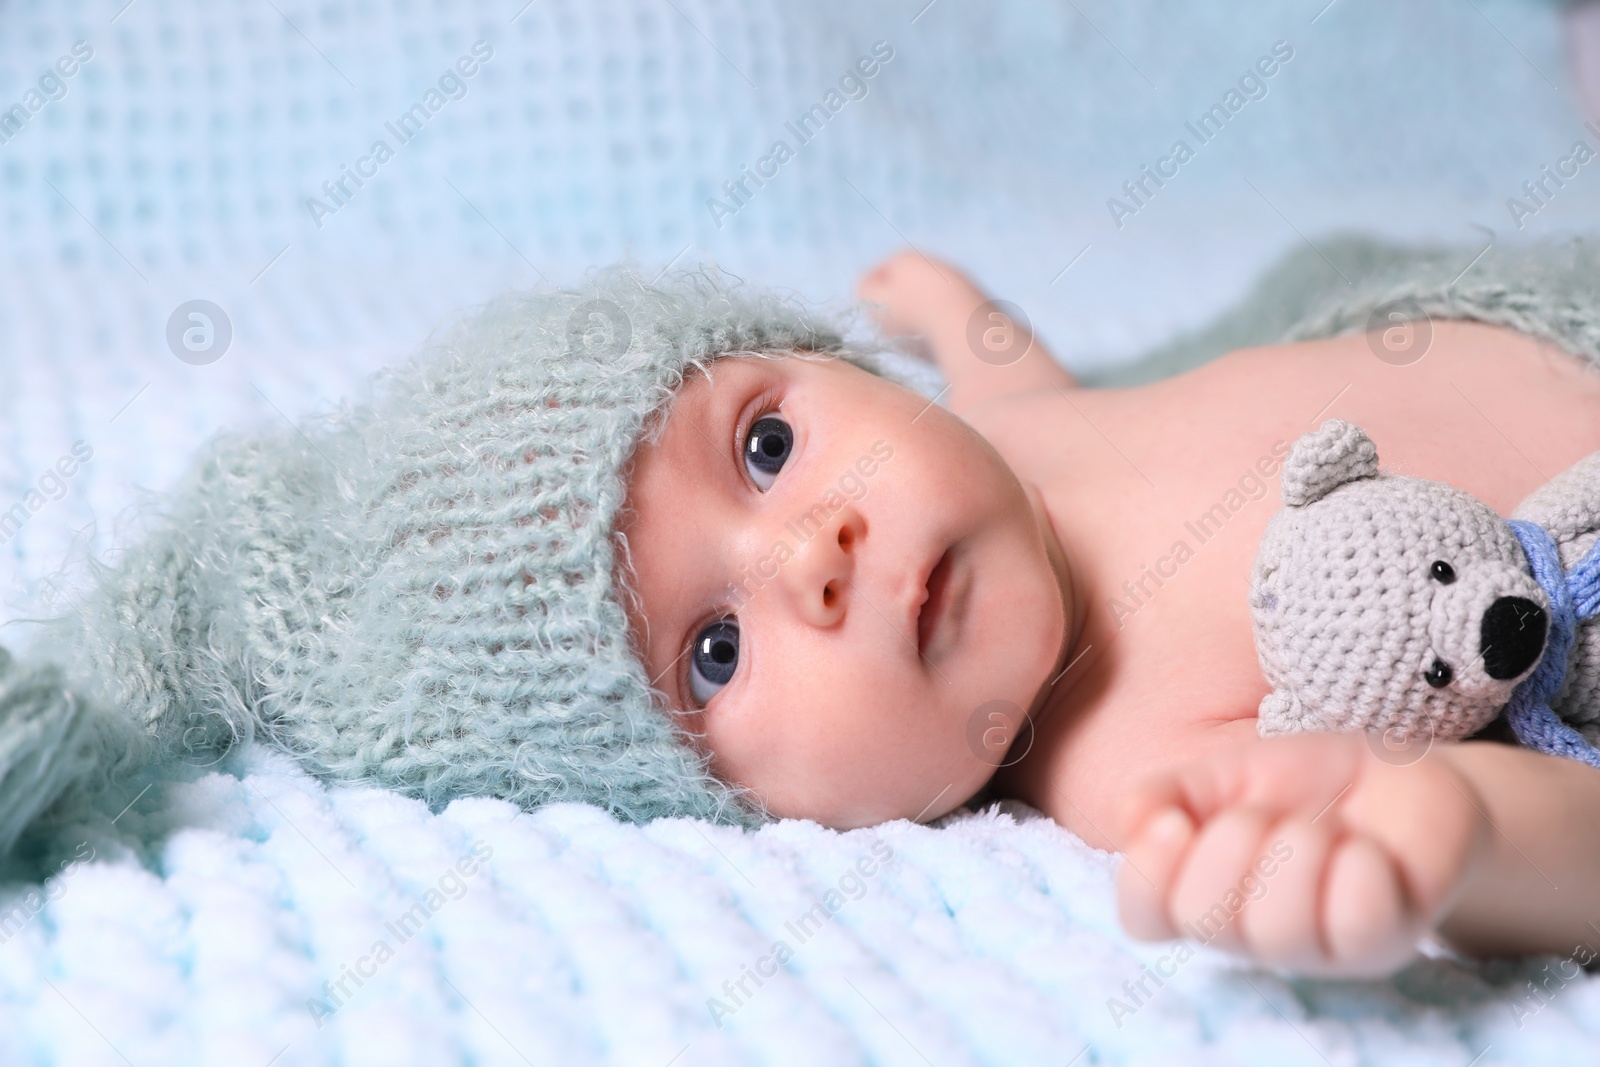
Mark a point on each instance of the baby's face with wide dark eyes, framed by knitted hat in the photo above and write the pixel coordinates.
(785, 532)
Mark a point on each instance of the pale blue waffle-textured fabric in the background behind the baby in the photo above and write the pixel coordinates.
(180, 162)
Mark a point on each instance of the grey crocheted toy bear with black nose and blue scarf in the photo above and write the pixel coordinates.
(1410, 609)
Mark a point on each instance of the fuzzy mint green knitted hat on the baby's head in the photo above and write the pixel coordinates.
(422, 591)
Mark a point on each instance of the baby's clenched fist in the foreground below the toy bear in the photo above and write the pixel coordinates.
(1308, 852)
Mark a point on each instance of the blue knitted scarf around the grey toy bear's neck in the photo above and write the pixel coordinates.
(1575, 597)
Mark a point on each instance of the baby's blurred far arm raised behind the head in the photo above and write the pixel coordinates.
(982, 351)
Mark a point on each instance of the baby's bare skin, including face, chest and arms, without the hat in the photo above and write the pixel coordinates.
(865, 607)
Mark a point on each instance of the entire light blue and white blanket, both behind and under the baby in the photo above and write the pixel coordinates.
(255, 917)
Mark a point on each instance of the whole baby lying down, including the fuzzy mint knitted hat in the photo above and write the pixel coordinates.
(580, 549)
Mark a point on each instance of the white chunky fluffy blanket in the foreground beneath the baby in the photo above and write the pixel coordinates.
(257, 917)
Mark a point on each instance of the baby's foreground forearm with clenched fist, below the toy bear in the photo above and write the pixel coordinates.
(1316, 855)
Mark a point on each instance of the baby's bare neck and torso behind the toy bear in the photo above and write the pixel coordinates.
(1164, 492)
